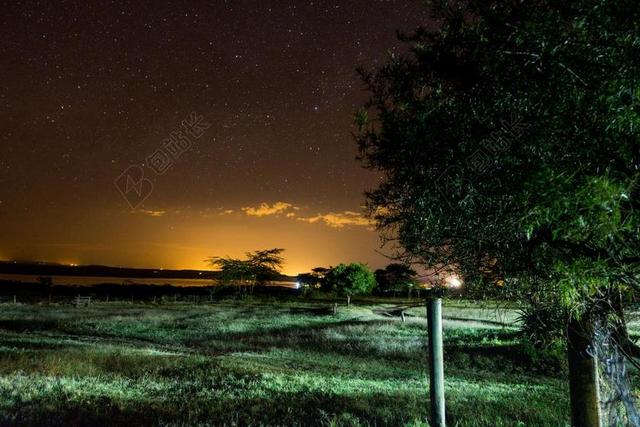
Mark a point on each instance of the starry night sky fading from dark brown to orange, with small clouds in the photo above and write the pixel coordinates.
(156, 134)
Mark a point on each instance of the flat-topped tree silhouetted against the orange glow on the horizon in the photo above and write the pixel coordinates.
(258, 267)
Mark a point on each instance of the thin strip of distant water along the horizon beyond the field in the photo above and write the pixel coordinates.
(94, 280)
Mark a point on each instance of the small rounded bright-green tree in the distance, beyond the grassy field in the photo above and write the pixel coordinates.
(350, 279)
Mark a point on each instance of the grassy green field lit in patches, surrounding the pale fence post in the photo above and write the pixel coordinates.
(265, 363)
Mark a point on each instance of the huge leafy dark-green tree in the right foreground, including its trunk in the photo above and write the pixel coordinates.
(508, 143)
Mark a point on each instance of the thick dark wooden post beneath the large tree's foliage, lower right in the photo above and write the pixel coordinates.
(583, 375)
